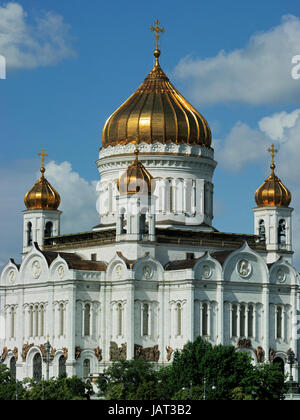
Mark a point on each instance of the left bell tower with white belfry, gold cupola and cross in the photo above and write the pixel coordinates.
(42, 217)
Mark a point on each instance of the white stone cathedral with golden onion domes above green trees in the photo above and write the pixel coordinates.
(155, 273)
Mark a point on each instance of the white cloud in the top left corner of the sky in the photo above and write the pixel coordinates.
(26, 45)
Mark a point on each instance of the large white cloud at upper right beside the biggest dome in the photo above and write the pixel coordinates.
(260, 73)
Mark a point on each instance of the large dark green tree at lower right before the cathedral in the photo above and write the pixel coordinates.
(220, 373)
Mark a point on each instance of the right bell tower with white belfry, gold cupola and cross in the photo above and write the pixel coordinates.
(273, 216)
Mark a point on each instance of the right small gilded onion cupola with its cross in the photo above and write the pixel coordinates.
(273, 192)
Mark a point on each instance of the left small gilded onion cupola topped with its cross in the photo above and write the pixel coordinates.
(42, 196)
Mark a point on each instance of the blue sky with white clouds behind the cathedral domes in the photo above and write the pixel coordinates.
(70, 64)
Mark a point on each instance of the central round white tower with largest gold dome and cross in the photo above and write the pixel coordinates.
(174, 145)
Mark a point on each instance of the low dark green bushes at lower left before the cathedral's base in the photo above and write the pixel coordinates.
(61, 388)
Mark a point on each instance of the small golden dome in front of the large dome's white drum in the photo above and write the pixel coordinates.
(136, 179)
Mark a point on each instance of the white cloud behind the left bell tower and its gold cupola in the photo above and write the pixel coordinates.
(78, 202)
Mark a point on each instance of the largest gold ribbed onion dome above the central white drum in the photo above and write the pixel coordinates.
(156, 112)
